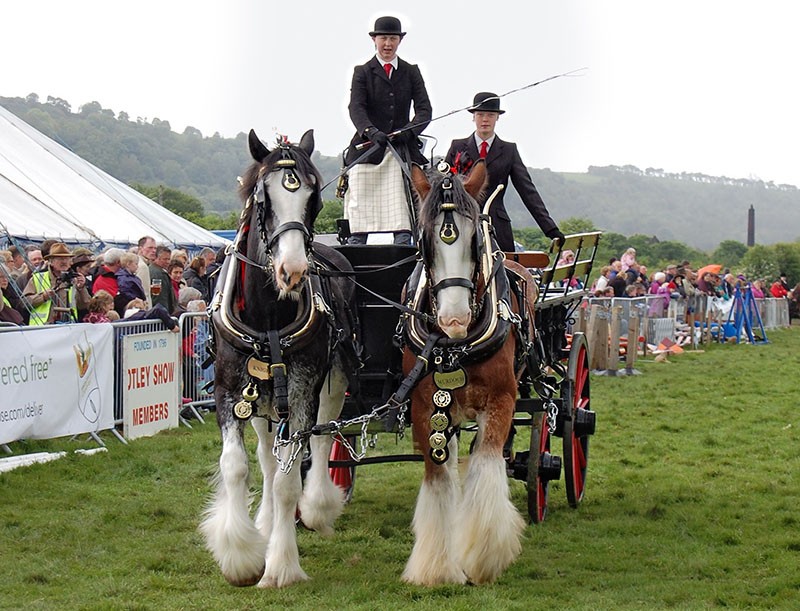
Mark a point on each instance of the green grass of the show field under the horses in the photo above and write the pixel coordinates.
(692, 502)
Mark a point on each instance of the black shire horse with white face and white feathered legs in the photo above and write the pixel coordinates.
(283, 342)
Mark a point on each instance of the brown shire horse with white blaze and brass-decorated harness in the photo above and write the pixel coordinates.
(470, 357)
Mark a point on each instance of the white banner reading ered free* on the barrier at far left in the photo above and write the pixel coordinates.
(56, 380)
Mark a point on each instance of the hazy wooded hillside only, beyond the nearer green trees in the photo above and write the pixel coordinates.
(697, 210)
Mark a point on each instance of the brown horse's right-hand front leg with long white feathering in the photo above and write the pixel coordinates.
(489, 525)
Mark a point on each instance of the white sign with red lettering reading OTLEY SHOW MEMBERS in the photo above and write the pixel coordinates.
(151, 383)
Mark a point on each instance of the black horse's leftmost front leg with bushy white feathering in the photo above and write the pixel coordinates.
(230, 534)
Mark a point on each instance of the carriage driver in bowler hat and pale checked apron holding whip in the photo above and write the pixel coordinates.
(381, 95)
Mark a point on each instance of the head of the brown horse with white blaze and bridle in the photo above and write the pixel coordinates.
(450, 243)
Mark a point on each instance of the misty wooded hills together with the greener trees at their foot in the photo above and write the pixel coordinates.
(667, 217)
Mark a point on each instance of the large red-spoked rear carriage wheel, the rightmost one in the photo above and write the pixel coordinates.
(578, 419)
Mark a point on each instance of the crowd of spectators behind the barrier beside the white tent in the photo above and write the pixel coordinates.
(48, 283)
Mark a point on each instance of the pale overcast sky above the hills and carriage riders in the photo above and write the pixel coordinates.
(707, 86)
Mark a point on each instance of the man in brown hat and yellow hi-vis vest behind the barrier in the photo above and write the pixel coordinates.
(56, 293)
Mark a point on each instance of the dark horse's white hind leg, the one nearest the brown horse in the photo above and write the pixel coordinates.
(322, 501)
